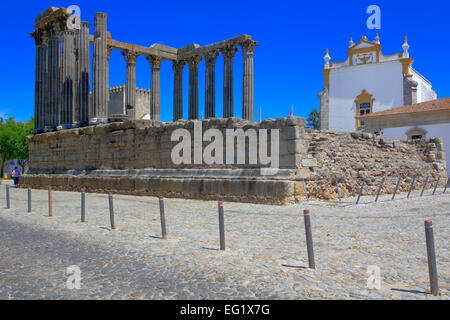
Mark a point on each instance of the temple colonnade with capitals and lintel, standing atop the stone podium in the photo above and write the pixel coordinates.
(62, 95)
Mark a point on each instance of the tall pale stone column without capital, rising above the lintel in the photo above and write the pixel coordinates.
(100, 68)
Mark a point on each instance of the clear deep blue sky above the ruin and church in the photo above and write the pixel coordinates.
(292, 37)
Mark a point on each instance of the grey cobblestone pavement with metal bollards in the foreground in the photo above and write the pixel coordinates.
(265, 256)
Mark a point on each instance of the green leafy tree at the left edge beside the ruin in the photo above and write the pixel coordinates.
(13, 144)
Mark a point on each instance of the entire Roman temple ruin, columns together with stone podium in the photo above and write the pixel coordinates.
(82, 141)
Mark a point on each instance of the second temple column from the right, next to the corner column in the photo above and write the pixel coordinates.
(228, 56)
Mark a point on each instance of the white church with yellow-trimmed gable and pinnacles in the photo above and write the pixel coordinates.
(366, 82)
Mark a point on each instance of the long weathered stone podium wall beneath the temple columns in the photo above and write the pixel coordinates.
(134, 158)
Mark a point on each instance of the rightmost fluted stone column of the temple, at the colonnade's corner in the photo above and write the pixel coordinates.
(248, 49)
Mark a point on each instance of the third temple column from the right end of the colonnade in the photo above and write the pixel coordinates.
(210, 84)
